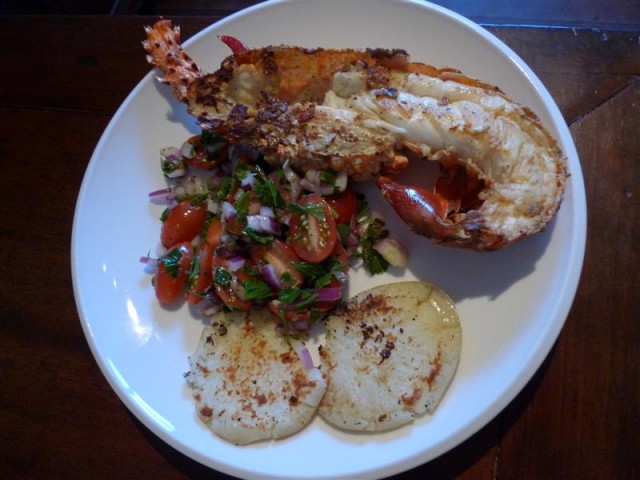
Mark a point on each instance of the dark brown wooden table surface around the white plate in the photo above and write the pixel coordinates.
(63, 77)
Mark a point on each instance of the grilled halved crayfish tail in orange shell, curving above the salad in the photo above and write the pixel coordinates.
(362, 112)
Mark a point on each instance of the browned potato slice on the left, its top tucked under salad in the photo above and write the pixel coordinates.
(248, 382)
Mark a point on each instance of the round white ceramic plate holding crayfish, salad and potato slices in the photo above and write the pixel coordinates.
(512, 303)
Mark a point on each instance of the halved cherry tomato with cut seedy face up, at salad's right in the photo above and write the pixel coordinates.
(313, 234)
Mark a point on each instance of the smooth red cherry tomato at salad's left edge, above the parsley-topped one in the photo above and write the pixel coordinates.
(183, 223)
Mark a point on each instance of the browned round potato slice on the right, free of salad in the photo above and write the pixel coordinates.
(390, 354)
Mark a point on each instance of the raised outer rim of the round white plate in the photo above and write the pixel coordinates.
(562, 305)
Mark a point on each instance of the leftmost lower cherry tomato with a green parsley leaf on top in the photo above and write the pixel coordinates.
(172, 272)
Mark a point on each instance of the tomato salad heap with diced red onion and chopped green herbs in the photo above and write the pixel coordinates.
(238, 233)
